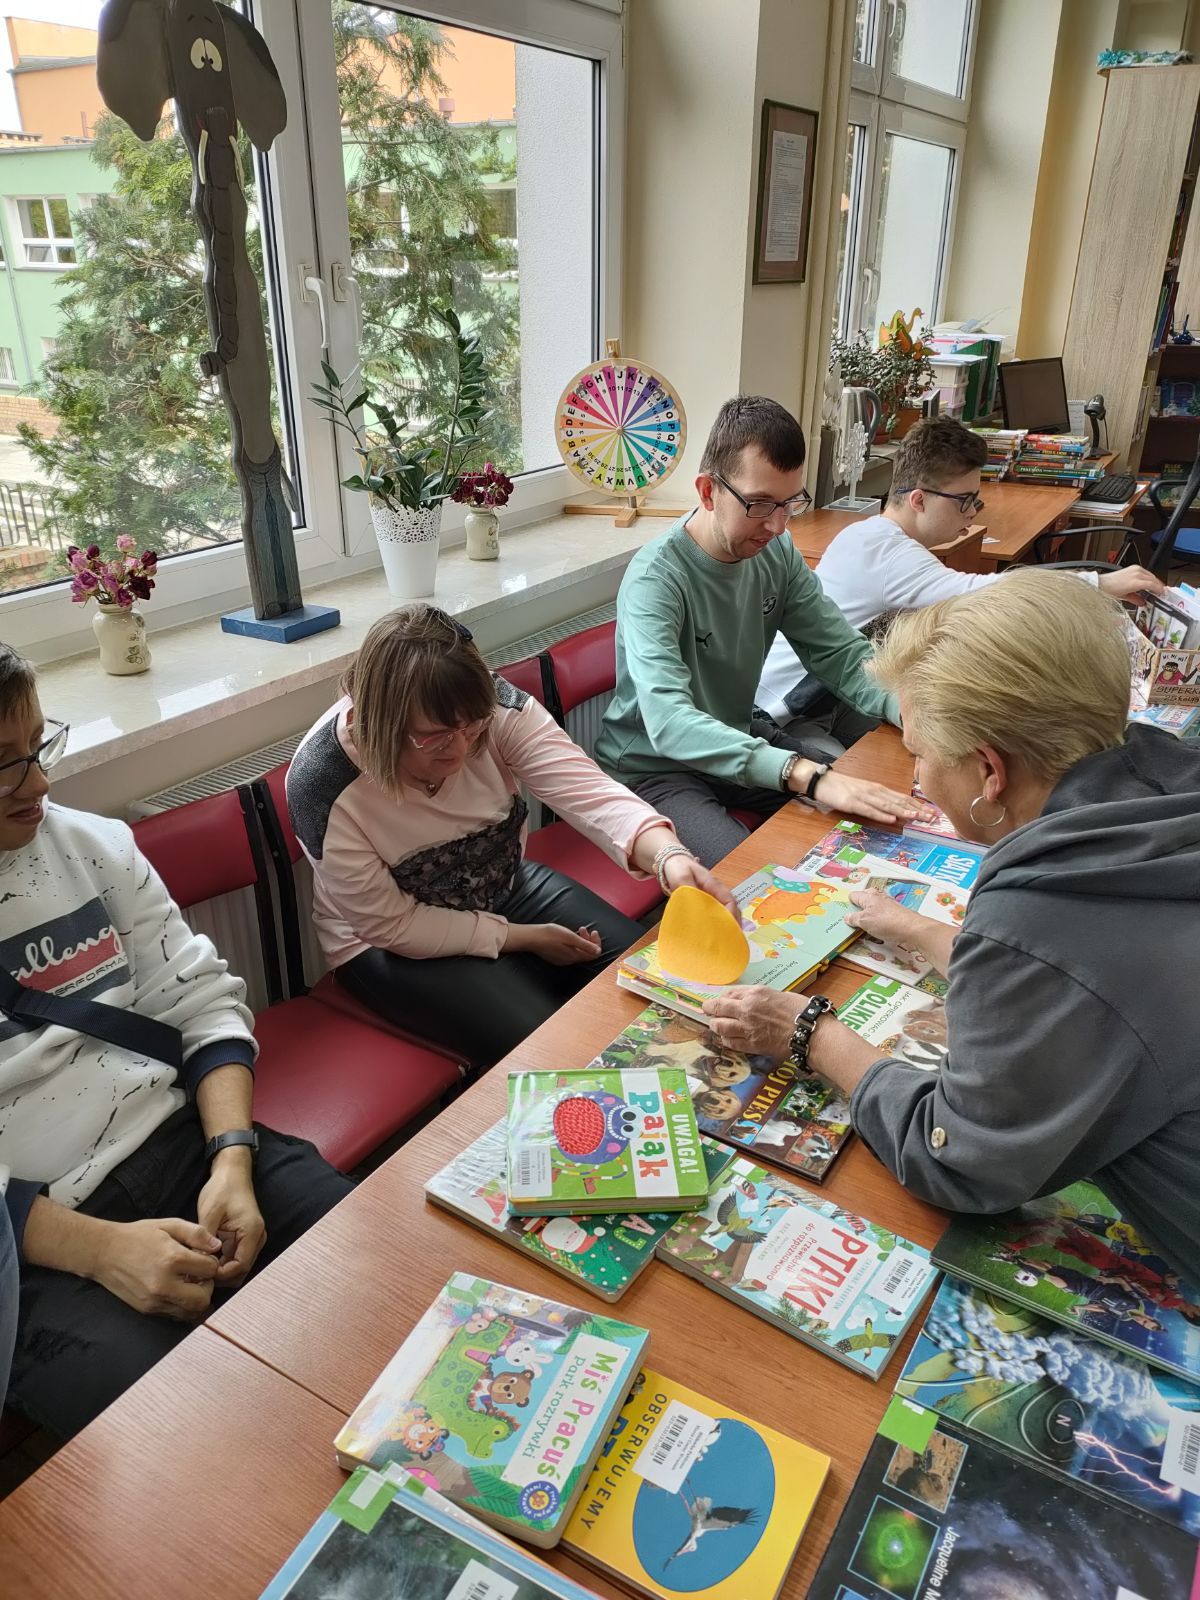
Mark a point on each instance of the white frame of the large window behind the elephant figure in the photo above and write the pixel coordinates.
(335, 537)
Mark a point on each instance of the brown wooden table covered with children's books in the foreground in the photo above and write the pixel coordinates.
(228, 1444)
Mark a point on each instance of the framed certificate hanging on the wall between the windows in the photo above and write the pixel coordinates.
(786, 161)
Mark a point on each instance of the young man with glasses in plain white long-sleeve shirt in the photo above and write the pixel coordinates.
(886, 564)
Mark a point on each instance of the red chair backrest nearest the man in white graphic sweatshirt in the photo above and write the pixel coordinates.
(209, 849)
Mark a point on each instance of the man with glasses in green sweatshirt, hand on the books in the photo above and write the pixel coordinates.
(695, 618)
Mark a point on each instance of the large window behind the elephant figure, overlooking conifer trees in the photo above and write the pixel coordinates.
(462, 158)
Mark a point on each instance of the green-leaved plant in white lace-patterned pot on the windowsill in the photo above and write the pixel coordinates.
(409, 476)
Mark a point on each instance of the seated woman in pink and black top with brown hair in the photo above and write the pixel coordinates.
(407, 801)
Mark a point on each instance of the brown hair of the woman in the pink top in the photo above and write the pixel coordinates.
(417, 662)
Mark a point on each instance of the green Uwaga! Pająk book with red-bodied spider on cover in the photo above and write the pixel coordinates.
(604, 1142)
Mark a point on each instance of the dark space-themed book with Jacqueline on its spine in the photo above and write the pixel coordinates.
(942, 1514)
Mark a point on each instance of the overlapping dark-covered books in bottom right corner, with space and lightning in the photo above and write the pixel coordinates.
(1047, 1423)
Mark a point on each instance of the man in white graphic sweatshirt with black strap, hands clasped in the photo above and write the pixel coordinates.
(137, 1183)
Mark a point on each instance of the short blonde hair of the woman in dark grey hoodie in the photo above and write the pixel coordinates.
(1034, 665)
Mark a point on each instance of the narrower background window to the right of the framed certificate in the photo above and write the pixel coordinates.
(908, 127)
